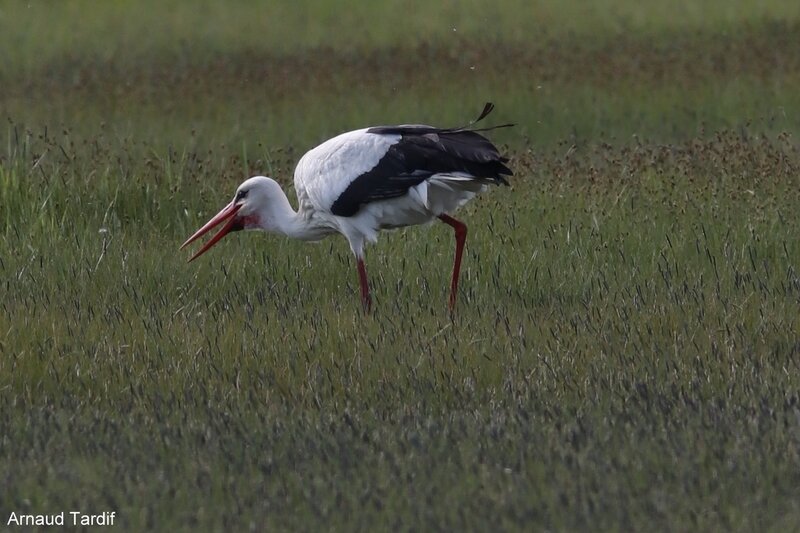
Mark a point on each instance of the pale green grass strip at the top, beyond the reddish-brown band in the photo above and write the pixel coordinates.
(45, 33)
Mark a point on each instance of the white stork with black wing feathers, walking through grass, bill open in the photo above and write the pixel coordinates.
(366, 180)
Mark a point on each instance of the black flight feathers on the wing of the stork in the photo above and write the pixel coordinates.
(421, 152)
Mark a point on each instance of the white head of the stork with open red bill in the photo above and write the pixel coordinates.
(252, 199)
